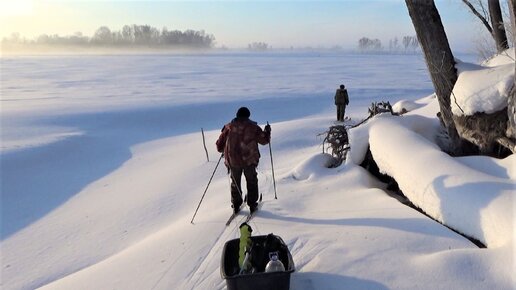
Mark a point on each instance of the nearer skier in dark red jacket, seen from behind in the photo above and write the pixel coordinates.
(239, 142)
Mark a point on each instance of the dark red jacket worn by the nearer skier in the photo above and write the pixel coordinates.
(239, 142)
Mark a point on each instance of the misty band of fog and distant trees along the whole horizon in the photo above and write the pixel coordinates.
(147, 39)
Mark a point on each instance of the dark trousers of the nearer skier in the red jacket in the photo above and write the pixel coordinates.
(251, 178)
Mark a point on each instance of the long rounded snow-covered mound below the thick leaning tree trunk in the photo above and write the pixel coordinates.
(440, 185)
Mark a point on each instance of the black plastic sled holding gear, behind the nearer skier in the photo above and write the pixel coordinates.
(259, 280)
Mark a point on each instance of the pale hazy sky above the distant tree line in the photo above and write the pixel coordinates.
(237, 23)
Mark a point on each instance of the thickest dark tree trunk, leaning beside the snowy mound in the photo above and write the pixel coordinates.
(439, 60)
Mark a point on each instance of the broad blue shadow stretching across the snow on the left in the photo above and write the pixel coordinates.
(37, 180)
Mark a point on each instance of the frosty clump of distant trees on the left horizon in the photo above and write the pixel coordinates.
(129, 35)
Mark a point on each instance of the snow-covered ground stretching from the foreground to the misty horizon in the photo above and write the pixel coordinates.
(103, 166)
